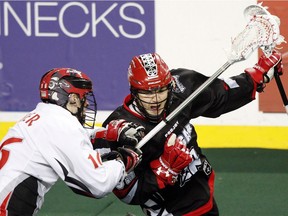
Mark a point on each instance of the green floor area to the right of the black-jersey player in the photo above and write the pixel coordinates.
(250, 182)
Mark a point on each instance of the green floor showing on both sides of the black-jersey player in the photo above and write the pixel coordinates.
(250, 182)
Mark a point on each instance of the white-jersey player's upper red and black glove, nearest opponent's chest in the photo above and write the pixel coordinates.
(127, 133)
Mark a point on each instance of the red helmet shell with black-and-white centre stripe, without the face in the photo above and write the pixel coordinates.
(148, 71)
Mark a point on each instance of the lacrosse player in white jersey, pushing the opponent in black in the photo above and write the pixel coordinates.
(52, 142)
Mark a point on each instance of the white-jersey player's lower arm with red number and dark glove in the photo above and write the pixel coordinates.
(89, 173)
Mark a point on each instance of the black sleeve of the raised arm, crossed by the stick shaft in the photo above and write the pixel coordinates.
(217, 98)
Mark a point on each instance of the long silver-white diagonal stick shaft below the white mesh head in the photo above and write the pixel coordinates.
(162, 124)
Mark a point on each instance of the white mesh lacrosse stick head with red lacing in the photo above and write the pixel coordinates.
(262, 31)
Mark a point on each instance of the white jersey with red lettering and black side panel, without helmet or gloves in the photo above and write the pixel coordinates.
(47, 144)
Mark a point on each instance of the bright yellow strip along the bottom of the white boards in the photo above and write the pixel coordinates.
(270, 137)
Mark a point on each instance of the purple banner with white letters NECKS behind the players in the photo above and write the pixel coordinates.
(96, 37)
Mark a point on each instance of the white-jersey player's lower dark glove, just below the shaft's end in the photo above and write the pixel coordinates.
(130, 157)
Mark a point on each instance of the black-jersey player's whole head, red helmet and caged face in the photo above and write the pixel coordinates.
(149, 75)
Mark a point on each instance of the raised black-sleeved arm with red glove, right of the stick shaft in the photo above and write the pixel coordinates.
(234, 92)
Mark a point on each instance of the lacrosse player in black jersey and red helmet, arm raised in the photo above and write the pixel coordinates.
(167, 181)
